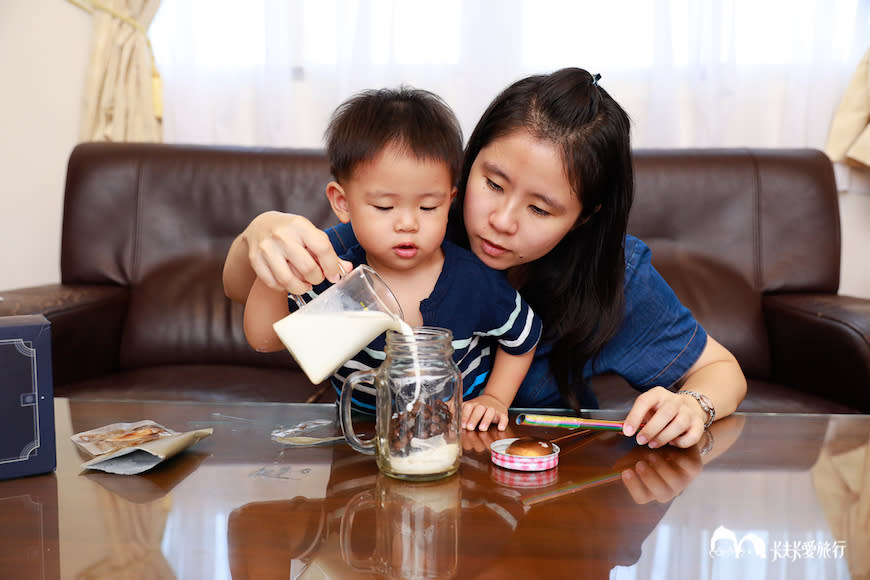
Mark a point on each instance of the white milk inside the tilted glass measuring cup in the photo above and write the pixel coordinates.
(321, 343)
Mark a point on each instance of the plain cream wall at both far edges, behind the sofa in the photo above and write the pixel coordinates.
(44, 49)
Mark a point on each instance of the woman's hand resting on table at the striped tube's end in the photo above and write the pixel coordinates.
(661, 417)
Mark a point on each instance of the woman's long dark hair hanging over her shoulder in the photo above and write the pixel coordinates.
(577, 288)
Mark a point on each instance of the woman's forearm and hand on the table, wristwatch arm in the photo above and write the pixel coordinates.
(661, 417)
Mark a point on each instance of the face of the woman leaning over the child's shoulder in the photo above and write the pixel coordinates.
(518, 202)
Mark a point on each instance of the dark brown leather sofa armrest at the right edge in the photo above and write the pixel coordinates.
(820, 343)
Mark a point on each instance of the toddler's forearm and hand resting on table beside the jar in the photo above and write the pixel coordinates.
(491, 406)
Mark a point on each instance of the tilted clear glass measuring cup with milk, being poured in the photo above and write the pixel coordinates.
(330, 329)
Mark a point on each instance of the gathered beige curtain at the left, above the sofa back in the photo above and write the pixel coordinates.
(122, 97)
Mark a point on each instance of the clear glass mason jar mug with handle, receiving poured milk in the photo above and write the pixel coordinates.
(419, 406)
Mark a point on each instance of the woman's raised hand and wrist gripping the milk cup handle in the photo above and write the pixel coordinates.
(286, 251)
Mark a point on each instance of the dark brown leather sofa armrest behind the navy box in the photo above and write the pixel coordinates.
(86, 324)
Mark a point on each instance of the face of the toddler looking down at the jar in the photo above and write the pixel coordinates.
(398, 206)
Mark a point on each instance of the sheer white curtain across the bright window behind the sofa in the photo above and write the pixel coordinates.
(764, 73)
